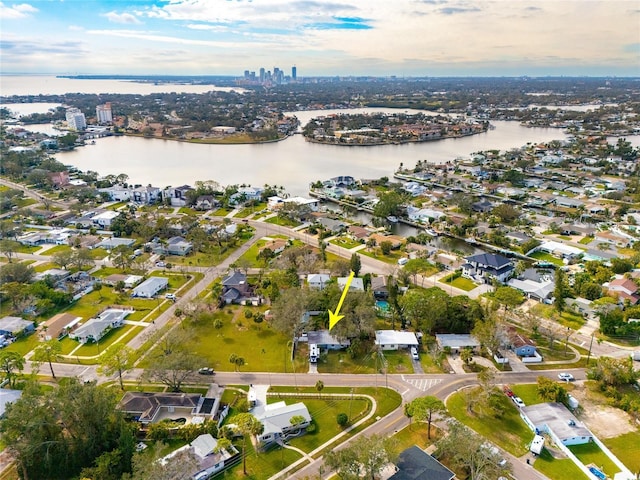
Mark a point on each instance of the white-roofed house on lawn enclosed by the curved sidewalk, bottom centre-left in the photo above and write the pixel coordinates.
(276, 419)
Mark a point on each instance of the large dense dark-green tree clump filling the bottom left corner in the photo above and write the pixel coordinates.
(55, 434)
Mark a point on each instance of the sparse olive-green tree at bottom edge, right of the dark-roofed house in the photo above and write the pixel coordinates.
(469, 452)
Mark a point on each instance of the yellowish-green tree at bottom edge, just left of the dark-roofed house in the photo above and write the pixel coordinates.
(365, 456)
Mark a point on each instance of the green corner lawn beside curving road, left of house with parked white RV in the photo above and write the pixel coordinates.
(507, 430)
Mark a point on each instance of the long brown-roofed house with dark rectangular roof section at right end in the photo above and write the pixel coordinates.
(146, 407)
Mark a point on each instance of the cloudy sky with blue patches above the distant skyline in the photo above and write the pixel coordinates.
(333, 37)
